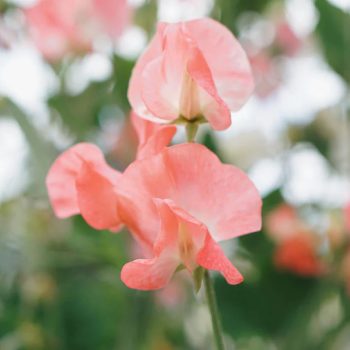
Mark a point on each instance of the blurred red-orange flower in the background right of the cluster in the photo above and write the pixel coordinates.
(297, 244)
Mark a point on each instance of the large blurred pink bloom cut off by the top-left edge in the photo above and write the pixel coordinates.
(61, 26)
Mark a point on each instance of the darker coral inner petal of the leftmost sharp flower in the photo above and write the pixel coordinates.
(96, 197)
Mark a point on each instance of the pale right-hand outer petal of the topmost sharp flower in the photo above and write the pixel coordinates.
(227, 60)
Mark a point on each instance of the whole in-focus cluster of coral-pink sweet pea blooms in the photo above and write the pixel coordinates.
(180, 201)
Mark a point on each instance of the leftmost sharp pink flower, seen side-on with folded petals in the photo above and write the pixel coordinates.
(81, 182)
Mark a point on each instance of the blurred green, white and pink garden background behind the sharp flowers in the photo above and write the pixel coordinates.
(59, 279)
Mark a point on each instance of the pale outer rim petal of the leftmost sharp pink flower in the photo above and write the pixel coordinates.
(63, 173)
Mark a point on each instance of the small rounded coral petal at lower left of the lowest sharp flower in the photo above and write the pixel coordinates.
(148, 274)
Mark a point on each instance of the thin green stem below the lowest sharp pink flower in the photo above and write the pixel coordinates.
(213, 308)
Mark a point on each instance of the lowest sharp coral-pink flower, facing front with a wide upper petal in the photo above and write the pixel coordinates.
(178, 205)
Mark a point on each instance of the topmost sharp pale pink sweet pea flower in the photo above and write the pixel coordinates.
(191, 70)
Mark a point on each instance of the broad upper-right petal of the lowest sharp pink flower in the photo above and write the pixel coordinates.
(212, 184)
